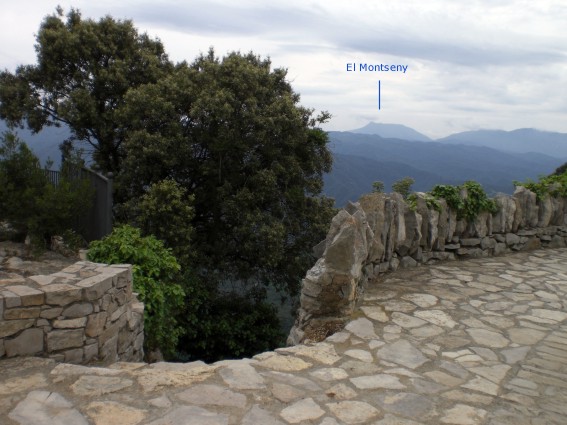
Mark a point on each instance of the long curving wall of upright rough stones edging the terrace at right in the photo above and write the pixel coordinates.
(380, 233)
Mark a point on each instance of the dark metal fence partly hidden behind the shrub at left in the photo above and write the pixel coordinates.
(97, 223)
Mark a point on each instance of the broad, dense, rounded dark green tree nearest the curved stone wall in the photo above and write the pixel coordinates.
(231, 131)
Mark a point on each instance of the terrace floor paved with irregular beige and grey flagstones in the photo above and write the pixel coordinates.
(473, 342)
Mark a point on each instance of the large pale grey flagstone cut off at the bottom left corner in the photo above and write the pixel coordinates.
(46, 407)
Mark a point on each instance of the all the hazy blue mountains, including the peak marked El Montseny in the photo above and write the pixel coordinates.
(389, 152)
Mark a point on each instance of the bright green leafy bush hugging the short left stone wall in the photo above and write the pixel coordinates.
(155, 271)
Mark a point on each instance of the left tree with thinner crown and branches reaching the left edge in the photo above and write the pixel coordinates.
(84, 68)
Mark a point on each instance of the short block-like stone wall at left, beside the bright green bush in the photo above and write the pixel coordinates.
(83, 314)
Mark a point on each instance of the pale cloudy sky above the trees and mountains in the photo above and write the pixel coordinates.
(476, 64)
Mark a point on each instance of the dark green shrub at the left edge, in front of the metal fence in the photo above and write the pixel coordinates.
(30, 202)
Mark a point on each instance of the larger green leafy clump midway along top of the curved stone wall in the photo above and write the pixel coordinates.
(470, 206)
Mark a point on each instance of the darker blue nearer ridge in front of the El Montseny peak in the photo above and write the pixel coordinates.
(361, 159)
